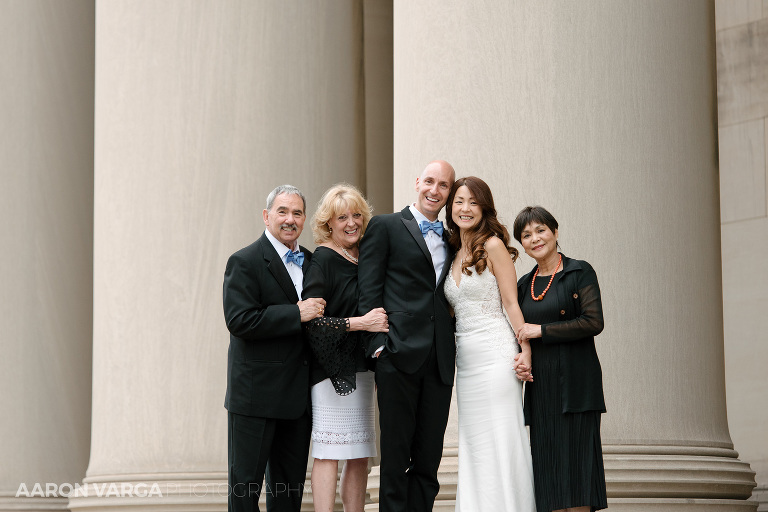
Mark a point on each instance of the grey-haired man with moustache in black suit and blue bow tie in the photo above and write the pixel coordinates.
(268, 364)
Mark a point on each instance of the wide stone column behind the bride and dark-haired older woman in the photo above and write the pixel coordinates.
(604, 113)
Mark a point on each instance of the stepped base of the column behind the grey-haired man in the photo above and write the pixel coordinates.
(156, 492)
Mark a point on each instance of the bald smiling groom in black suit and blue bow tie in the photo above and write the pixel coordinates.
(404, 258)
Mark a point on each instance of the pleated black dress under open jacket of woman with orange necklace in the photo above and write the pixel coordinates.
(565, 447)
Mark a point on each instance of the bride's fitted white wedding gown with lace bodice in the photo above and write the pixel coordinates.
(495, 471)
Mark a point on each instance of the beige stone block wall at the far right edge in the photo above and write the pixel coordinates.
(742, 78)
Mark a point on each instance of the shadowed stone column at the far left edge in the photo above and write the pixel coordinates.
(46, 207)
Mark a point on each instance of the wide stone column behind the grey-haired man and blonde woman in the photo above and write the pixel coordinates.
(201, 109)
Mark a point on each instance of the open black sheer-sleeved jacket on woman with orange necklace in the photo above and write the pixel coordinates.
(575, 317)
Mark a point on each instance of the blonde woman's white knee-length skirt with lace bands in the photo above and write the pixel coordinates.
(343, 427)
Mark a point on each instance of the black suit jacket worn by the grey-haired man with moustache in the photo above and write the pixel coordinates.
(268, 362)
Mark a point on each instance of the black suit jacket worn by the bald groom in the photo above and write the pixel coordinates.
(396, 272)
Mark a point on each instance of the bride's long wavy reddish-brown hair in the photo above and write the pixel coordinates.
(488, 226)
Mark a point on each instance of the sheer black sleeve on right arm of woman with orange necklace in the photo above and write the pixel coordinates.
(589, 313)
